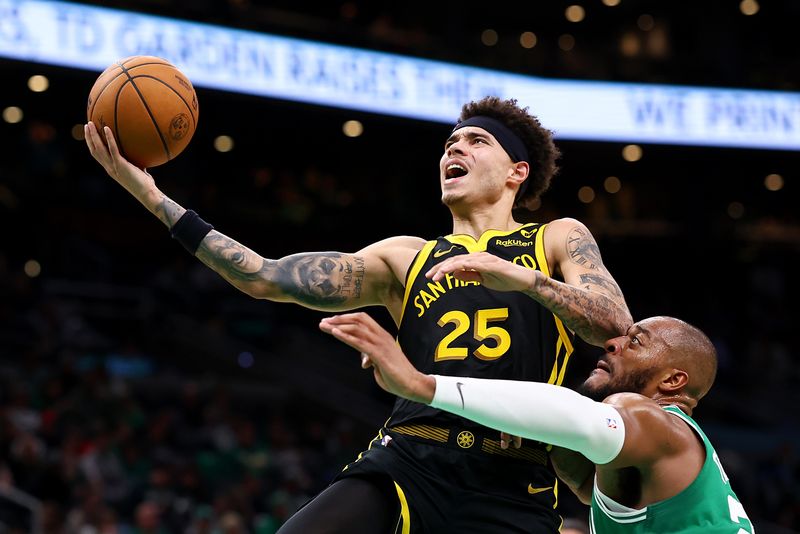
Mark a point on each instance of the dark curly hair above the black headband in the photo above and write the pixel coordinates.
(542, 152)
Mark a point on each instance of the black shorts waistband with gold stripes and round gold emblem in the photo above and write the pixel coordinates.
(470, 440)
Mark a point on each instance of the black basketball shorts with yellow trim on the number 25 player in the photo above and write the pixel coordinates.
(451, 480)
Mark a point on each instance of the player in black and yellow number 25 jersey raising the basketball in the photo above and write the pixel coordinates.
(441, 472)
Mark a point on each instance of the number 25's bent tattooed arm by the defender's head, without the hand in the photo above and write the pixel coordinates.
(589, 301)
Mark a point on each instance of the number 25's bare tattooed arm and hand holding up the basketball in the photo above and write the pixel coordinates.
(321, 280)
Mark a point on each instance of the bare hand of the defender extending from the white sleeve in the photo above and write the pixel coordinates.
(393, 372)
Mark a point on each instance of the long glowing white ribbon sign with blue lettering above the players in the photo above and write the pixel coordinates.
(93, 38)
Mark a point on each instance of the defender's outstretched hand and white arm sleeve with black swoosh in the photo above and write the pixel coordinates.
(543, 412)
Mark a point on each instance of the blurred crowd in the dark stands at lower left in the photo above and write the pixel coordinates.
(102, 454)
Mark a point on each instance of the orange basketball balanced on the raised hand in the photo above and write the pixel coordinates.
(150, 106)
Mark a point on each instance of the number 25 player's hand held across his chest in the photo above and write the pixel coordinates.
(491, 271)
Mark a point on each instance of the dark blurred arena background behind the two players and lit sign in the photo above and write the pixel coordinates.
(131, 375)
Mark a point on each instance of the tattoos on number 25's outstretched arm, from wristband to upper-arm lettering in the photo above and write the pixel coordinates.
(321, 280)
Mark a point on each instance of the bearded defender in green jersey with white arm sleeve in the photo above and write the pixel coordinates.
(656, 471)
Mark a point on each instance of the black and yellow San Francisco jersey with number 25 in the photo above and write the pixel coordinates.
(460, 328)
